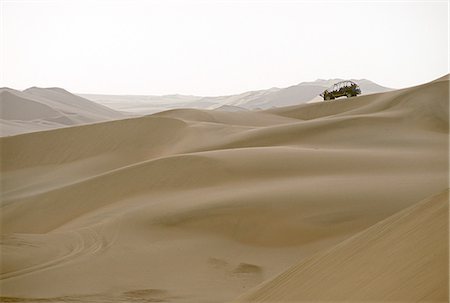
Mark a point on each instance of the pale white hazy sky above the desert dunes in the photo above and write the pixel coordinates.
(219, 47)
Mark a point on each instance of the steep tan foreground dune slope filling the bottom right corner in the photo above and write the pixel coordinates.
(403, 258)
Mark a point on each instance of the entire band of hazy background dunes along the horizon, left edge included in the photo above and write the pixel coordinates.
(36, 109)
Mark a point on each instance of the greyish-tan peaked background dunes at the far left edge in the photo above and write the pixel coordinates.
(37, 109)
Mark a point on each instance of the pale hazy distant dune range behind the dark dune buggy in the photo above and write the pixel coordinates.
(252, 100)
